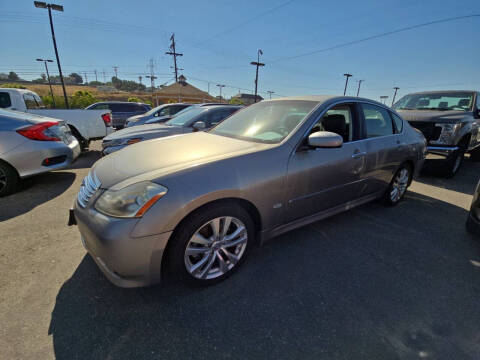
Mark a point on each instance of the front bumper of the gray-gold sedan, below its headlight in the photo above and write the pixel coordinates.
(125, 260)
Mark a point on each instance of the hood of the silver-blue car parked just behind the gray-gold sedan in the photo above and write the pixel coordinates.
(150, 131)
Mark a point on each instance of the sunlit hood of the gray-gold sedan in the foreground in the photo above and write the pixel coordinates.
(149, 160)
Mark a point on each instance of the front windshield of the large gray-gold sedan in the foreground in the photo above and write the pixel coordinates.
(266, 121)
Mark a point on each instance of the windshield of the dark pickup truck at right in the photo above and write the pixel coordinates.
(436, 101)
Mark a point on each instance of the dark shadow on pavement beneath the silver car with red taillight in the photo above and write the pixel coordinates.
(35, 191)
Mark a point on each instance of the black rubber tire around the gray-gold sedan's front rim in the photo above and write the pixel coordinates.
(175, 257)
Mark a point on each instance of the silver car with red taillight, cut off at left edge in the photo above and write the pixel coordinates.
(30, 145)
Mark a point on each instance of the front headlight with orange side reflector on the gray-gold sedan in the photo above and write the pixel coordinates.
(131, 201)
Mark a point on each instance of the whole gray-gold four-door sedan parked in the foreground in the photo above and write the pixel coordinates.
(202, 200)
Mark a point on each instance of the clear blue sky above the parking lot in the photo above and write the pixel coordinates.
(220, 38)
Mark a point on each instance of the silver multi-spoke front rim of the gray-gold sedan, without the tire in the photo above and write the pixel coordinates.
(216, 247)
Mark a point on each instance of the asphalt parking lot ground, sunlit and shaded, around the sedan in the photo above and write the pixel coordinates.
(371, 283)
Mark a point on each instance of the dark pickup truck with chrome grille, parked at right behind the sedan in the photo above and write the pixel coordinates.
(450, 121)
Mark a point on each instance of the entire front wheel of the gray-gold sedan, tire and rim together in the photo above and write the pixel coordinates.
(211, 244)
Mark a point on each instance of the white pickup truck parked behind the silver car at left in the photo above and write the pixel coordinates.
(86, 125)
